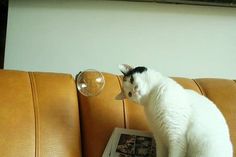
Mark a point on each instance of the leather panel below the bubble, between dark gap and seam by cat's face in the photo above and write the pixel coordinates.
(99, 116)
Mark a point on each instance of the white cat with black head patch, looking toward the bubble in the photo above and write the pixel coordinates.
(184, 123)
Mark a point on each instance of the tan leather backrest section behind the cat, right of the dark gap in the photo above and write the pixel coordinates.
(99, 115)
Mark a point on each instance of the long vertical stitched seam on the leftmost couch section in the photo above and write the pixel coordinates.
(36, 112)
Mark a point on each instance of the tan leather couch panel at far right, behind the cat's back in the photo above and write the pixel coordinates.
(223, 93)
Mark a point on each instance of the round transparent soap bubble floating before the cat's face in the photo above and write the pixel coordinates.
(90, 82)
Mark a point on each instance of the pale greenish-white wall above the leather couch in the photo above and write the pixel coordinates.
(69, 36)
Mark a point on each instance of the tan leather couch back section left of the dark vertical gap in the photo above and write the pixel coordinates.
(38, 115)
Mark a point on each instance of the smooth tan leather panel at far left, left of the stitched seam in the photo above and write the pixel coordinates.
(17, 125)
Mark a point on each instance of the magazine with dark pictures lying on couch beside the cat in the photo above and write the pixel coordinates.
(130, 143)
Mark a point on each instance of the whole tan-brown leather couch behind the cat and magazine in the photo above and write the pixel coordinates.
(43, 115)
